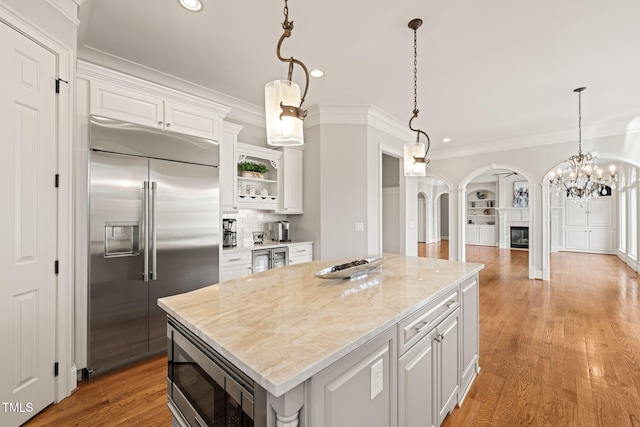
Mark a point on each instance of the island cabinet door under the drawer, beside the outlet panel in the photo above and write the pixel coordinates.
(416, 384)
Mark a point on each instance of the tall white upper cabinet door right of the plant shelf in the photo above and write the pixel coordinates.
(291, 182)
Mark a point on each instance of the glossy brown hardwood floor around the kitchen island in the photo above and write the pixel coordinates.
(559, 353)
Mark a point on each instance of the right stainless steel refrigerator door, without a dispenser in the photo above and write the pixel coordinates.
(187, 223)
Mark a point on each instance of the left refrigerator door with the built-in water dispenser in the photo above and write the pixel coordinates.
(117, 294)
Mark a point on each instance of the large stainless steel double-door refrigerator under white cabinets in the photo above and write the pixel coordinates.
(154, 231)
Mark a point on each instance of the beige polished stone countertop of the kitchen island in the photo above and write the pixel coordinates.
(282, 326)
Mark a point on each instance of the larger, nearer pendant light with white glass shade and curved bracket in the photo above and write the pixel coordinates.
(284, 118)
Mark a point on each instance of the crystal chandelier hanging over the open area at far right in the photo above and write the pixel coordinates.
(580, 178)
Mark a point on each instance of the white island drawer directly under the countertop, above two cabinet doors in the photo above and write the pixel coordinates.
(414, 327)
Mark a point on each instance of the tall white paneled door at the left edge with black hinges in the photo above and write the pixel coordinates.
(28, 221)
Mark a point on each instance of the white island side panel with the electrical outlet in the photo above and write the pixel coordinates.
(359, 389)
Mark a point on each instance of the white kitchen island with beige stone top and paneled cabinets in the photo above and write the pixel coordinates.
(398, 344)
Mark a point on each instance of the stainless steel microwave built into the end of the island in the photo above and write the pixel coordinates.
(204, 389)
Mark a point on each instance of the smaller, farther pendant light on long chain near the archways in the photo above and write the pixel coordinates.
(415, 153)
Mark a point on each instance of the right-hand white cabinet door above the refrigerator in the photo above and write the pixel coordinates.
(188, 120)
